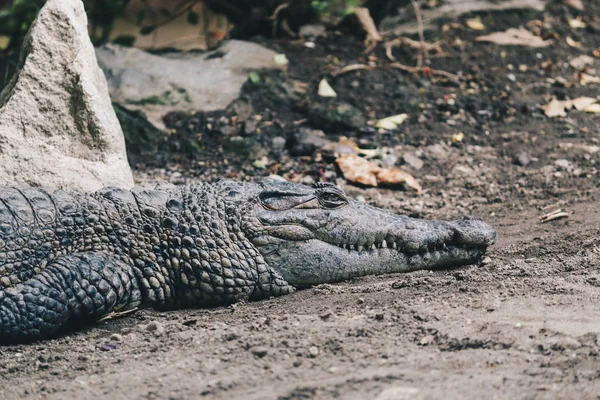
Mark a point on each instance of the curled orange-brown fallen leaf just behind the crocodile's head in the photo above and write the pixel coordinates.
(359, 170)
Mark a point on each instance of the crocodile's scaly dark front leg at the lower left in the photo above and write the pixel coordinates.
(72, 289)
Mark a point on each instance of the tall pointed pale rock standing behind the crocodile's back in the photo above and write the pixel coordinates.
(57, 125)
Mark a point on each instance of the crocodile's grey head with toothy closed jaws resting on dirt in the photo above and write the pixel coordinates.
(313, 235)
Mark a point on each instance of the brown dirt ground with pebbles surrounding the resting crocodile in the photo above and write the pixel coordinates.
(524, 324)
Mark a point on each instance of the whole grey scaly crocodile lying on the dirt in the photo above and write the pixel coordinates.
(67, 260)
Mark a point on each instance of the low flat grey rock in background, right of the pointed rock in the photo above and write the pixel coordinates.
(159, 84)
